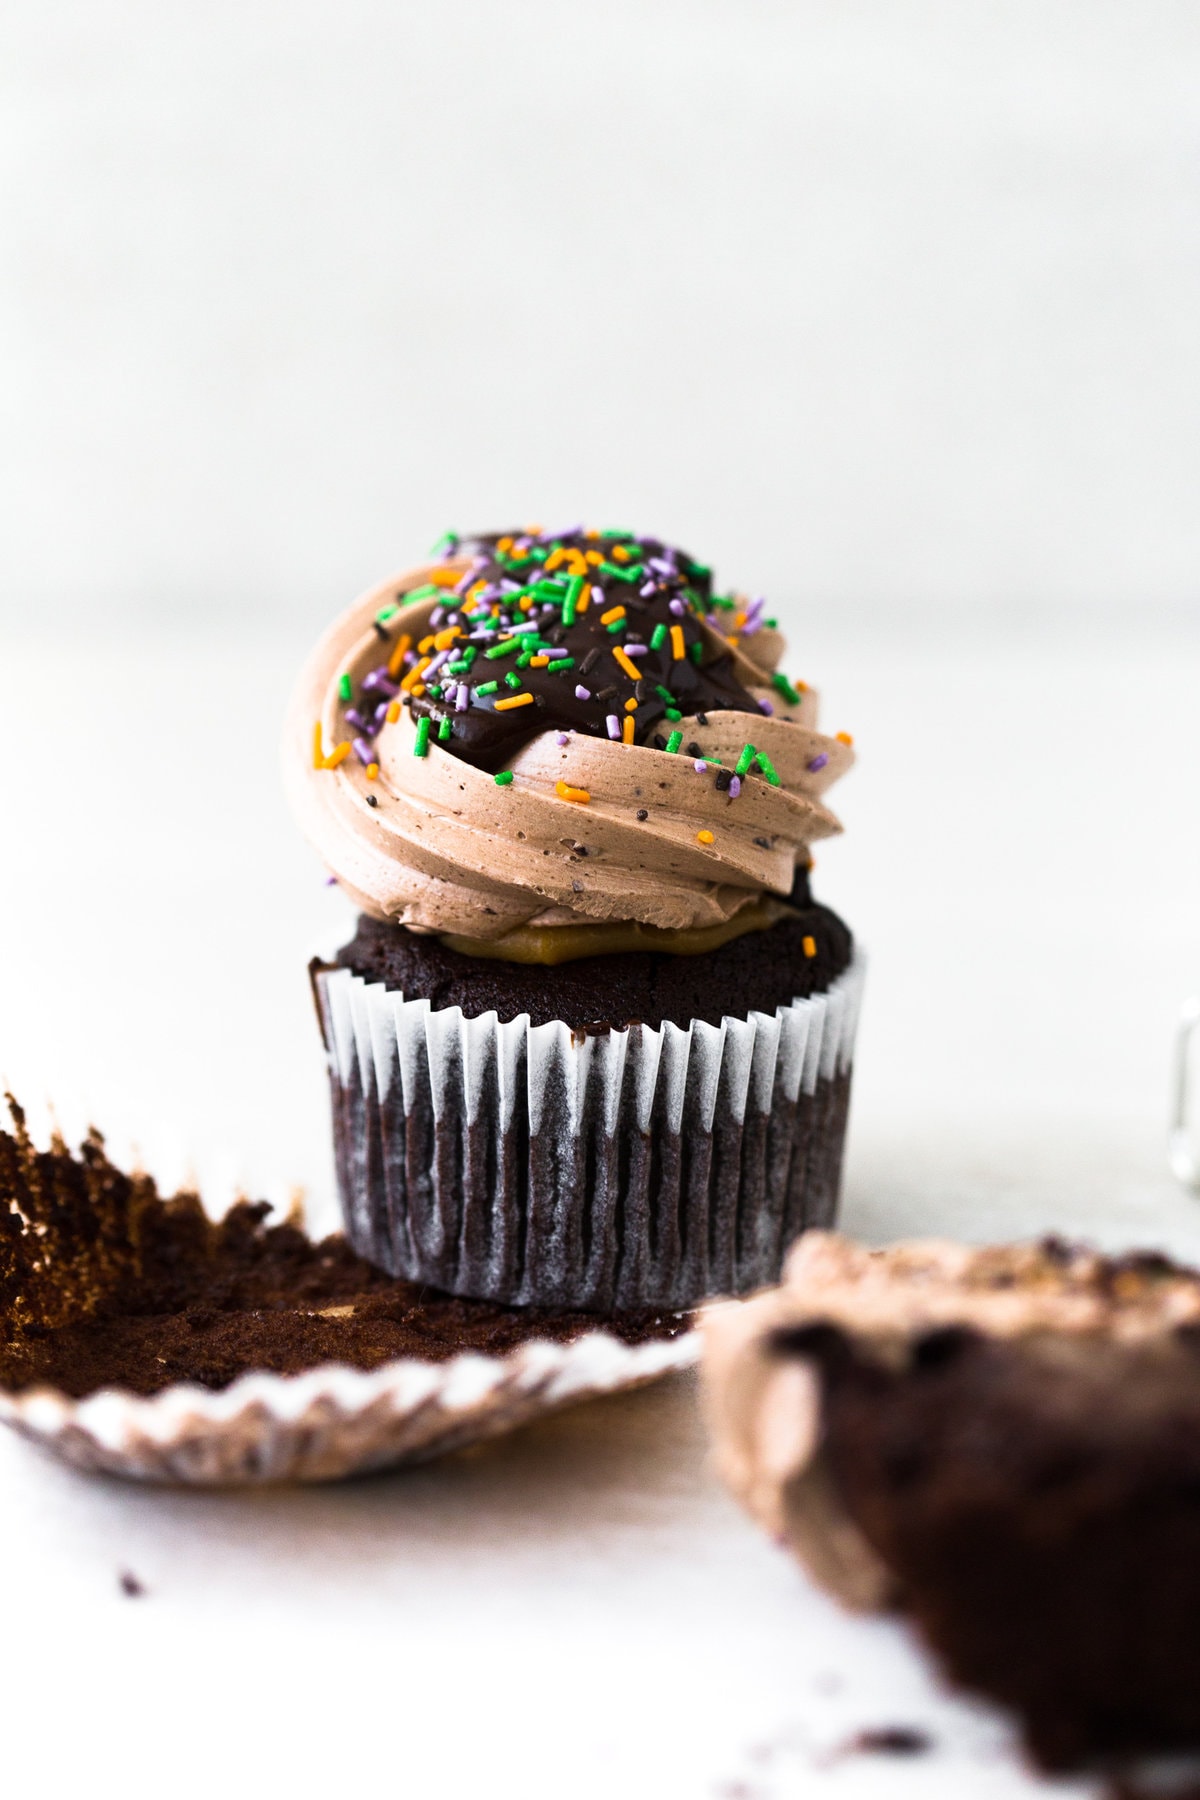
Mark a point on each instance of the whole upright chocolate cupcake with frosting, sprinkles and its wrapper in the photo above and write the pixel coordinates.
(591, 1041)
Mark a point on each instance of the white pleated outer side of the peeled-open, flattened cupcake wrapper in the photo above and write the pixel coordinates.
(334, 1421)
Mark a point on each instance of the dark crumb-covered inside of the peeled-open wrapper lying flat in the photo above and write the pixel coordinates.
(105, 1284)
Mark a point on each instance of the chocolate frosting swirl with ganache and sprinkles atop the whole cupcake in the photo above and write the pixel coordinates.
(551, 732)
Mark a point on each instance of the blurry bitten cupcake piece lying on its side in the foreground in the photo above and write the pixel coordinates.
(1003, 1443)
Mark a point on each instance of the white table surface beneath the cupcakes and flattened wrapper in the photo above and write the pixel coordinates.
(578, 1610)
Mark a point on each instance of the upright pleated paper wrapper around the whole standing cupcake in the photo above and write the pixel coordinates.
(632, 1169)
